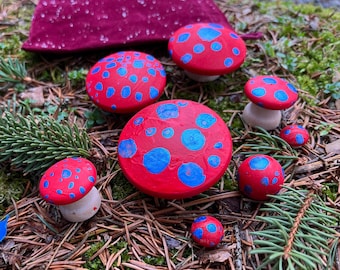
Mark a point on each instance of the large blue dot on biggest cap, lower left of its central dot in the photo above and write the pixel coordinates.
(156, 160)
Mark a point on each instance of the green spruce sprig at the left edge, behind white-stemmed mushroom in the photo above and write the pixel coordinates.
(34, 142)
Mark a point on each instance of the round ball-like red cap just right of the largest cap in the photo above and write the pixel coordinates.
(259, 176)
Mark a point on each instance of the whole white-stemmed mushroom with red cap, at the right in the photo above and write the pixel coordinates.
(268, 95)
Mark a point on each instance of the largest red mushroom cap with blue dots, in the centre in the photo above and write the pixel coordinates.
(174, 149)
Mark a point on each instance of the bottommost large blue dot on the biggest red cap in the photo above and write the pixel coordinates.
(191, 174)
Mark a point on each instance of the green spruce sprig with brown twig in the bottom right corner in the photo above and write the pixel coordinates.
(299, 232)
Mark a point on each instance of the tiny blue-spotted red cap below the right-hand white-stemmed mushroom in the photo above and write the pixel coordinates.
(295, 135)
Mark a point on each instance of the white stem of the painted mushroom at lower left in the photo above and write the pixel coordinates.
(83, 209)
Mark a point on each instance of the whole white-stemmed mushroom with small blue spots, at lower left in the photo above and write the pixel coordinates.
(69, 183)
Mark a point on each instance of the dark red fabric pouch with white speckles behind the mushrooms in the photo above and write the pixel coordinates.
(61, 26)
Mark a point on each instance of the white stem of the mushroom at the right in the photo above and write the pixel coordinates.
(255, 115)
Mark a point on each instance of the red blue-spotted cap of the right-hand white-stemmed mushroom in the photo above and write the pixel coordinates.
(271, 92)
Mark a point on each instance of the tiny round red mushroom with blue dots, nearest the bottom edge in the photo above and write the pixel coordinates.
(207, 231)
